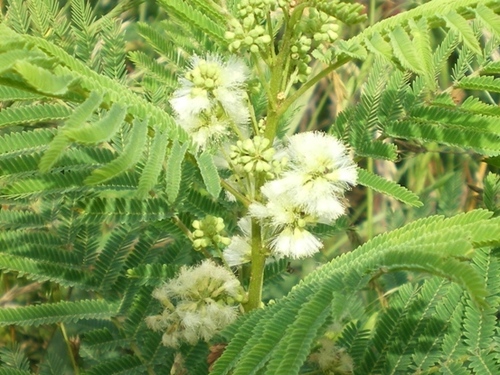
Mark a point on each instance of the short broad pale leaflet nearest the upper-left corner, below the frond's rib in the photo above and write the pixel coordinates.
(42, 79)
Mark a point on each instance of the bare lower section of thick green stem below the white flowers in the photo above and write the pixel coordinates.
(257, 269)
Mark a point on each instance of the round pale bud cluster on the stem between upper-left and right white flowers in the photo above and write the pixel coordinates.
(253, 156)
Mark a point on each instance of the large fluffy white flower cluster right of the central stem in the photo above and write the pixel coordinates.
(310, 190)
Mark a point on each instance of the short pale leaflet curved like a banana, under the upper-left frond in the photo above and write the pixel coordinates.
(100, 131)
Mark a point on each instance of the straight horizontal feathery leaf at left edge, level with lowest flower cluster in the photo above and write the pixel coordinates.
(61, 312)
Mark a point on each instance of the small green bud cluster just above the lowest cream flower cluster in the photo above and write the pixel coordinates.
(209, 232)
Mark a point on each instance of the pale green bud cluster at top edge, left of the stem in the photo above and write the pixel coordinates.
(249, 33)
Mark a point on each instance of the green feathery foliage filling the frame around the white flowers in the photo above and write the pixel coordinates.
(100, 185)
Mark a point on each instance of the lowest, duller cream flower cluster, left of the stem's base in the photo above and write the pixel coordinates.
(197, 304)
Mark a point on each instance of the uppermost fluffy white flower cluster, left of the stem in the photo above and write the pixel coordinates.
(211, 100)
